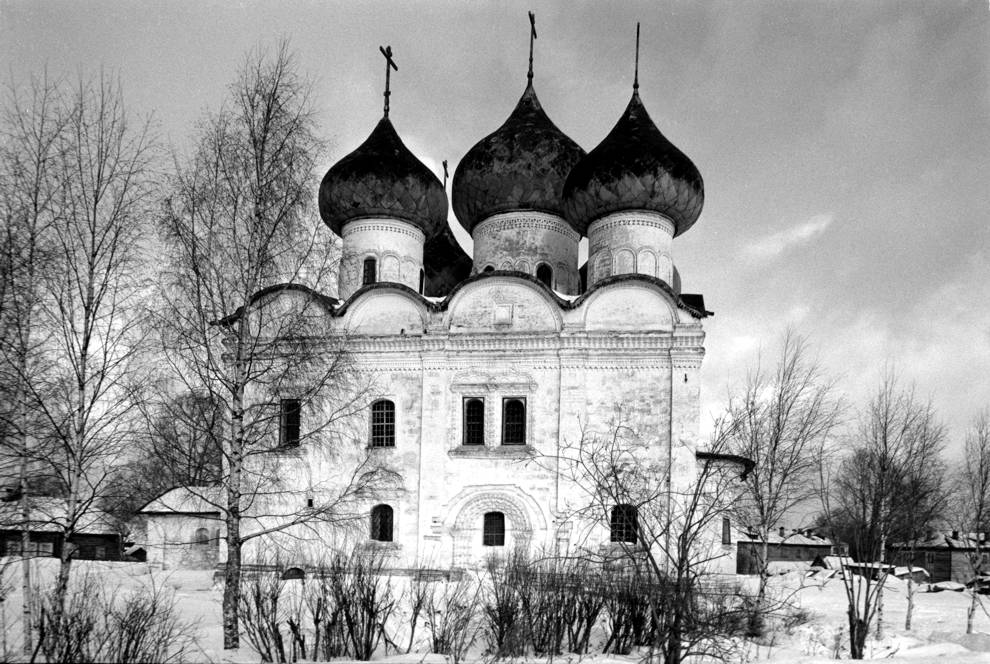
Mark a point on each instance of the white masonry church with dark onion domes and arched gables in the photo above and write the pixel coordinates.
(487, 367)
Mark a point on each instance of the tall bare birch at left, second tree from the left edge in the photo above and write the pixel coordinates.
(91, 302)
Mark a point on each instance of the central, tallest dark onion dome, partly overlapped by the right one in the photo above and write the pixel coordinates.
(522, 165)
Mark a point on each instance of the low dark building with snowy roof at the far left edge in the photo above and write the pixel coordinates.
(96, 537)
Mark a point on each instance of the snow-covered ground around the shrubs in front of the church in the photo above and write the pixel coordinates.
(938, 634)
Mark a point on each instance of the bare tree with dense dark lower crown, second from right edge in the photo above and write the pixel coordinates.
(898, 438)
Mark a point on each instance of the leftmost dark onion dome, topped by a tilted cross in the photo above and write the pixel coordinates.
(382, 178)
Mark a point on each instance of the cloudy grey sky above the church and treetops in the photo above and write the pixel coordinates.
(844, 145)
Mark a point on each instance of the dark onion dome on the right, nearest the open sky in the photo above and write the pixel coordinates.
(634, 168)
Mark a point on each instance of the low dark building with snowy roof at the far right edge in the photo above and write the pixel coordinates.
(947, 556)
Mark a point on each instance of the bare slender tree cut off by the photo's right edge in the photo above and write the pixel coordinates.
(973, 496)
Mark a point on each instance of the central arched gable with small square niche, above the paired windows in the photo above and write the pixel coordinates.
(503, 303)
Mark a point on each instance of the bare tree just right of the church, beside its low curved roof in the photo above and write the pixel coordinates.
(782, 420)
